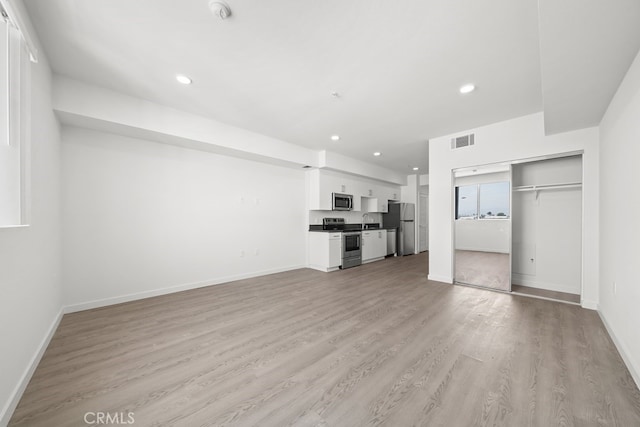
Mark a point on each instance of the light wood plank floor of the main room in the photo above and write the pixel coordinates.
(372, 345)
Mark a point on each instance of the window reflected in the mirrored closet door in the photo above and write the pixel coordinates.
(483, 201)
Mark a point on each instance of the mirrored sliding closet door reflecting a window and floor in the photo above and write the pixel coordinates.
(482, 227)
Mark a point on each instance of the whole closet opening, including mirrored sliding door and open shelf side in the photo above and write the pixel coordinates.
(518, 227)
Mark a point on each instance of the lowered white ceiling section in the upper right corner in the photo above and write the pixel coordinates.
(587, 48)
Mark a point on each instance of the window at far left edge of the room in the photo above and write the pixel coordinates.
(14, 117)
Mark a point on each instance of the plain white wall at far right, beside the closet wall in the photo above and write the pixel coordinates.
(619, 207)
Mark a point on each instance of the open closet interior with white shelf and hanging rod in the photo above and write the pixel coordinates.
(547, 228)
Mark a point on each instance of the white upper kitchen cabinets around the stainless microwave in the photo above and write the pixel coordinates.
(368, 195)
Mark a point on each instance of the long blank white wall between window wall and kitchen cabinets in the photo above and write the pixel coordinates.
(142, 218)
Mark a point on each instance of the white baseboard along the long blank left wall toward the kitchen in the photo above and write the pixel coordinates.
(88, 305)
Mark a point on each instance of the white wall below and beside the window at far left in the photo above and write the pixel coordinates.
(30, 280)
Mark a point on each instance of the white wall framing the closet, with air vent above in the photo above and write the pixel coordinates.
(506, 141)
